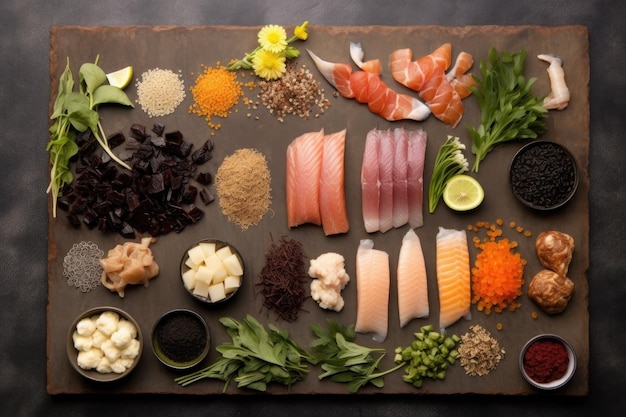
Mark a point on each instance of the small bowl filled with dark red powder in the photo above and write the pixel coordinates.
(547, 361)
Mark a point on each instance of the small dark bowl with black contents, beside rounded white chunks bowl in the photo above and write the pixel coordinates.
(181, 339)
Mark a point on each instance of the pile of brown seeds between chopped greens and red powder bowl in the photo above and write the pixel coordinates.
(480, 352)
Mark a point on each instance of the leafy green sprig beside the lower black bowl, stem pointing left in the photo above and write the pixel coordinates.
(255, 357)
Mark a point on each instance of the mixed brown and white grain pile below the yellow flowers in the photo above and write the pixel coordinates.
(297, 93)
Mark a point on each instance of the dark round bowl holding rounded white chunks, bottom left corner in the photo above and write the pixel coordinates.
(93, 374)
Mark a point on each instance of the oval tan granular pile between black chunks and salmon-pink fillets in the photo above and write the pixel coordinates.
(243, 187)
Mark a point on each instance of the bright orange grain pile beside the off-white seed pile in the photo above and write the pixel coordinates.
(215, 92)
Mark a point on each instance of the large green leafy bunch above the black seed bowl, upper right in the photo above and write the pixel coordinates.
(509, 109)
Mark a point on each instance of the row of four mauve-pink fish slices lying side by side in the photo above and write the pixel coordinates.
(392, 179)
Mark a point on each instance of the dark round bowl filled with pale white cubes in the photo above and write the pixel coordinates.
(194, 277)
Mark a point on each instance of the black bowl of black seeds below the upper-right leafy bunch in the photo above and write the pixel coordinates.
(543, 175)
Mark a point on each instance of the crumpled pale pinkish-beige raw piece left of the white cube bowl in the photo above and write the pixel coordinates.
(130, 263)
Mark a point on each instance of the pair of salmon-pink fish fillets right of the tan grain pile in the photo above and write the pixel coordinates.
(315, 181)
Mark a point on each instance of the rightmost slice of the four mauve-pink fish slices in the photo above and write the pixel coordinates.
(416, 154)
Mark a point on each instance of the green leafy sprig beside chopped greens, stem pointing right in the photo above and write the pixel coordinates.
(345, 361)
